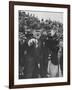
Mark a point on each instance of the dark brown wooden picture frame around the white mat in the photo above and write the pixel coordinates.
(11, 43)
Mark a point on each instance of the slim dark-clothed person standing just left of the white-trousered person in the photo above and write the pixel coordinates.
(44, 61)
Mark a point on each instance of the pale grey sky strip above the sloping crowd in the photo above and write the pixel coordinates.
(54, 16)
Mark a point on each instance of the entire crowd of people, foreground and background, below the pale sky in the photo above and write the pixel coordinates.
(40, 47)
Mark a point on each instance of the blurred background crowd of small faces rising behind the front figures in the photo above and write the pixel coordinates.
(28, 23)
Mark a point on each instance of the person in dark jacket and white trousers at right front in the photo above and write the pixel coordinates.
(52, 45)
